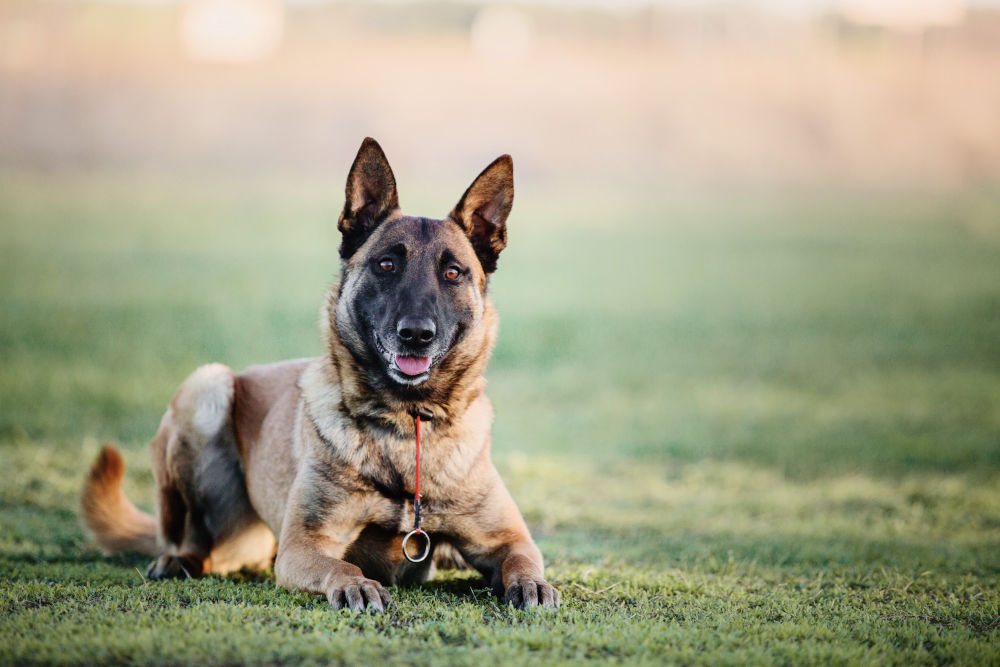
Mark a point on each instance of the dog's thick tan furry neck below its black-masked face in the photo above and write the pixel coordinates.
(367, 397)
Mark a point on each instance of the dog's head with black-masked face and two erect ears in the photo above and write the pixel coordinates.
(412, 288)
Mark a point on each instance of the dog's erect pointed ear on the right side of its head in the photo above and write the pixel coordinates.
(483, 209)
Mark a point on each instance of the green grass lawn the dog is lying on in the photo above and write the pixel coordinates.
(743, 428)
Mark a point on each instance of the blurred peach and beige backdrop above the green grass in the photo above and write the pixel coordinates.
(849, 93)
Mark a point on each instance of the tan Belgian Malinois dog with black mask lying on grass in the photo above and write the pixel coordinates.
(310, 464)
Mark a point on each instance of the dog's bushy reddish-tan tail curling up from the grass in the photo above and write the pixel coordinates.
(117, 524)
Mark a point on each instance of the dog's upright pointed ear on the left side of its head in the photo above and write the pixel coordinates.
(371, 197)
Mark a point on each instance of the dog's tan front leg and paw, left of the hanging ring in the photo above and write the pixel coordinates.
(310, 558)
